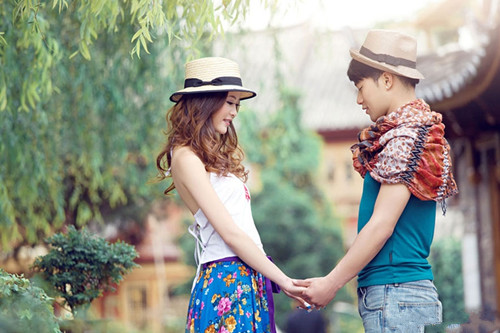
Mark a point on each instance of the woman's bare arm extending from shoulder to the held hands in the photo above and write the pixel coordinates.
(189, 173)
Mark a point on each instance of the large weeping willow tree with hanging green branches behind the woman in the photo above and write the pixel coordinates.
(80, 112)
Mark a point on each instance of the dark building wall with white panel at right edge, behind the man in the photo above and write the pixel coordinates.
(478, 177)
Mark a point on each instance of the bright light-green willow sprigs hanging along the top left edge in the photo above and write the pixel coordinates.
(30, 30)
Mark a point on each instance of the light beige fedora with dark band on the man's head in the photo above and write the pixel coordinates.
(389, 51)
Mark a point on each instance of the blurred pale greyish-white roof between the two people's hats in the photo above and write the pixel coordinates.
(312, 63)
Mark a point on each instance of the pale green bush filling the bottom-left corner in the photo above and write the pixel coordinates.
(24, 307)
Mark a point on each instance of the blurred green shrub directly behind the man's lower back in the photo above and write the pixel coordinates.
(446, 260)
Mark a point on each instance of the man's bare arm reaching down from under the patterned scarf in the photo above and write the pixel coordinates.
(390, 203)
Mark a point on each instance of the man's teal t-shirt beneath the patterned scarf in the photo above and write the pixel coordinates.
(404, 256)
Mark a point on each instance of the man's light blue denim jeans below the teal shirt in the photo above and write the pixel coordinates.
(399, 307)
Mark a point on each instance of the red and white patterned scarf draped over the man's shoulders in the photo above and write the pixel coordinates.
(408, 146)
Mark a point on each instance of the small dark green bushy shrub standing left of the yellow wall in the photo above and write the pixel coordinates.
(80, 266)
